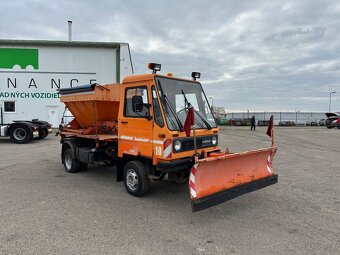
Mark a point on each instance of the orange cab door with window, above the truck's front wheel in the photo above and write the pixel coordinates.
(135, 127)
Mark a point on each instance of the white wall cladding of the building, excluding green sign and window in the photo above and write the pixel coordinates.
(35, 90)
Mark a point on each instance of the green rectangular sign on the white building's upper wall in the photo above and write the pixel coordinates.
(9, 57)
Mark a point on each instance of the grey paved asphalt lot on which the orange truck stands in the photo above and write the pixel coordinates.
(44, 210)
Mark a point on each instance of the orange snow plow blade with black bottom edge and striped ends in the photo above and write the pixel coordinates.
(222, 177)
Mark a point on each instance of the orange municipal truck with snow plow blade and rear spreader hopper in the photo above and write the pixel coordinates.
(139, 125)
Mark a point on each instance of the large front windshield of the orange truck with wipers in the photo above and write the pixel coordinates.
(175, 96)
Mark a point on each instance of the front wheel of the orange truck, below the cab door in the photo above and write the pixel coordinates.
(136, 179)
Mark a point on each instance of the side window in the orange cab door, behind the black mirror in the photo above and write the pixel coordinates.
(137, 96)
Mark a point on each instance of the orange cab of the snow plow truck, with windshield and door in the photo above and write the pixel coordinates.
(151, 120)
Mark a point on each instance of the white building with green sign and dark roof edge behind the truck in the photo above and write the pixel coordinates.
(32, 71)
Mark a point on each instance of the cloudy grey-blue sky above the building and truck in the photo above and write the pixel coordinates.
(253, 55)
